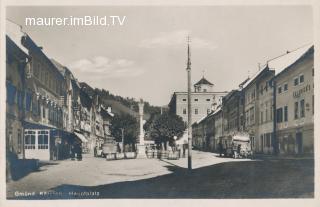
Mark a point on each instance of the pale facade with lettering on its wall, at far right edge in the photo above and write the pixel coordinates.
(295, 106)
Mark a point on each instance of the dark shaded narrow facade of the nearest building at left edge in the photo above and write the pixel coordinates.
(16, 61)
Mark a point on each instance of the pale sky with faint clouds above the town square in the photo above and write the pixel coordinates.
(146, 56)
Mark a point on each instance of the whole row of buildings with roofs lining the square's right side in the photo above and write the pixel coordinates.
(275, 107)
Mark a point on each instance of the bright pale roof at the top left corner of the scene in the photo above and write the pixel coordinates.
(15, 33)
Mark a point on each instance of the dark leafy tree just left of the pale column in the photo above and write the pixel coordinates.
(130, 127)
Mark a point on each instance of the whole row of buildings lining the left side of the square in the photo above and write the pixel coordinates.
(48, 112)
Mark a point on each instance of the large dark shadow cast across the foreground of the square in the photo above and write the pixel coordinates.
(288, 178)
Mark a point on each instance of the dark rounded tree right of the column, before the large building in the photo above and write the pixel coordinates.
(165, 126)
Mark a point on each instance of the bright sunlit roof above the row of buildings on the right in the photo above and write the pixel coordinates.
(282, 62)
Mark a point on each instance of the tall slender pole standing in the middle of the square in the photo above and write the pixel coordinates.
(189, 108)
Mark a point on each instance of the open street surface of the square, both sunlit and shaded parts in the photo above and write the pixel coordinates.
(212, 177)
